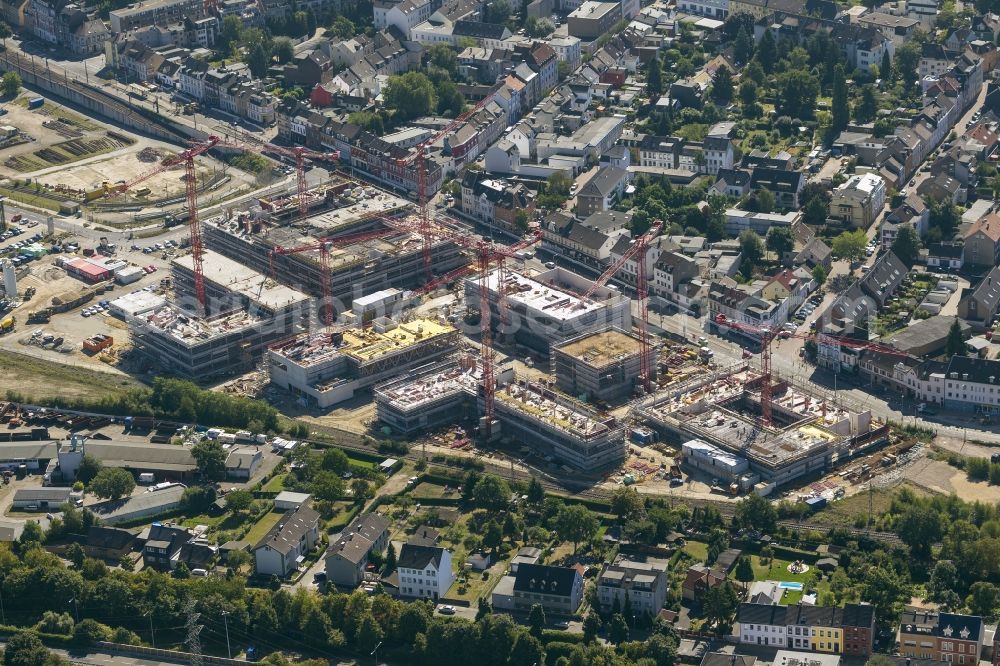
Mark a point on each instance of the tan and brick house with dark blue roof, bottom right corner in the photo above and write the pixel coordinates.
(941, 637)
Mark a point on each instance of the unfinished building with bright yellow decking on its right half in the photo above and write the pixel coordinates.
(329, 368)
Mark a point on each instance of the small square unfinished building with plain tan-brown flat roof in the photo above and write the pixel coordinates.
(599, 366)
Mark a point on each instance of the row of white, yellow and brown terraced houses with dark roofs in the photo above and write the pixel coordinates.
(847, 631)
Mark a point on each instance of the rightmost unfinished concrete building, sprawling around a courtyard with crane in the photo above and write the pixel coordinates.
(809, 434)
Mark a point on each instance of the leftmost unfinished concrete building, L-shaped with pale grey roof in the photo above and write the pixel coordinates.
(245, 312)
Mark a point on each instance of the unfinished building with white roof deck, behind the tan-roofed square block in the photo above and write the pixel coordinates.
(549, 309)
